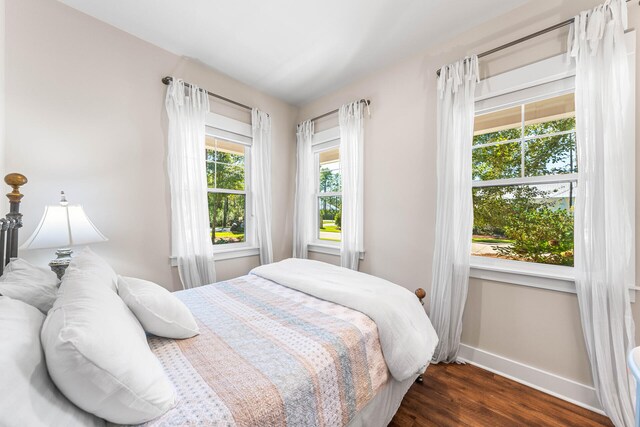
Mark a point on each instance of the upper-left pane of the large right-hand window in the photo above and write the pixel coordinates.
(503, 125)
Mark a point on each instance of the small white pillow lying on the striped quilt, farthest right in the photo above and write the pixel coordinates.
(159, 312)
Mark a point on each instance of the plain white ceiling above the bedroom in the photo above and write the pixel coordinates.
(295, 50)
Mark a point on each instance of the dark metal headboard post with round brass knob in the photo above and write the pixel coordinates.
(12, 222)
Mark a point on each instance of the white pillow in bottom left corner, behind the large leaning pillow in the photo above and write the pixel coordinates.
(28, 394)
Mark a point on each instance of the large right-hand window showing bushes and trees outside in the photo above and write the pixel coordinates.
(524, 175)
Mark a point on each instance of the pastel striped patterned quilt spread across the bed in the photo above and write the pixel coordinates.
(270, 356)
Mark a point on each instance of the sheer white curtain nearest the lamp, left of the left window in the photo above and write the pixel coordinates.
(190, 230)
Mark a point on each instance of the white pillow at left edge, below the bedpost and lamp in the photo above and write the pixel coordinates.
(34, 285)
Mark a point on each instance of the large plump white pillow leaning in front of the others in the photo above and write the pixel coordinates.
(98, 356)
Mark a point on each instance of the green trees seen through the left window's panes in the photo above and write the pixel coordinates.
(226, 190)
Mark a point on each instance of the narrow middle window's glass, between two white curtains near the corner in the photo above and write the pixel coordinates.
(328, 193)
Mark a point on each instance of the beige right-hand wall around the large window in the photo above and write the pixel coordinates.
(537, 327)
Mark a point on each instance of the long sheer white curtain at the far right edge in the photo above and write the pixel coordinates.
(603, 235)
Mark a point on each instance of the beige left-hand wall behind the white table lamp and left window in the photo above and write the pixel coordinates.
(85, 114)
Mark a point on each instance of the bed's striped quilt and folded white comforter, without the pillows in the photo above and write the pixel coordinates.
(296, 343)
